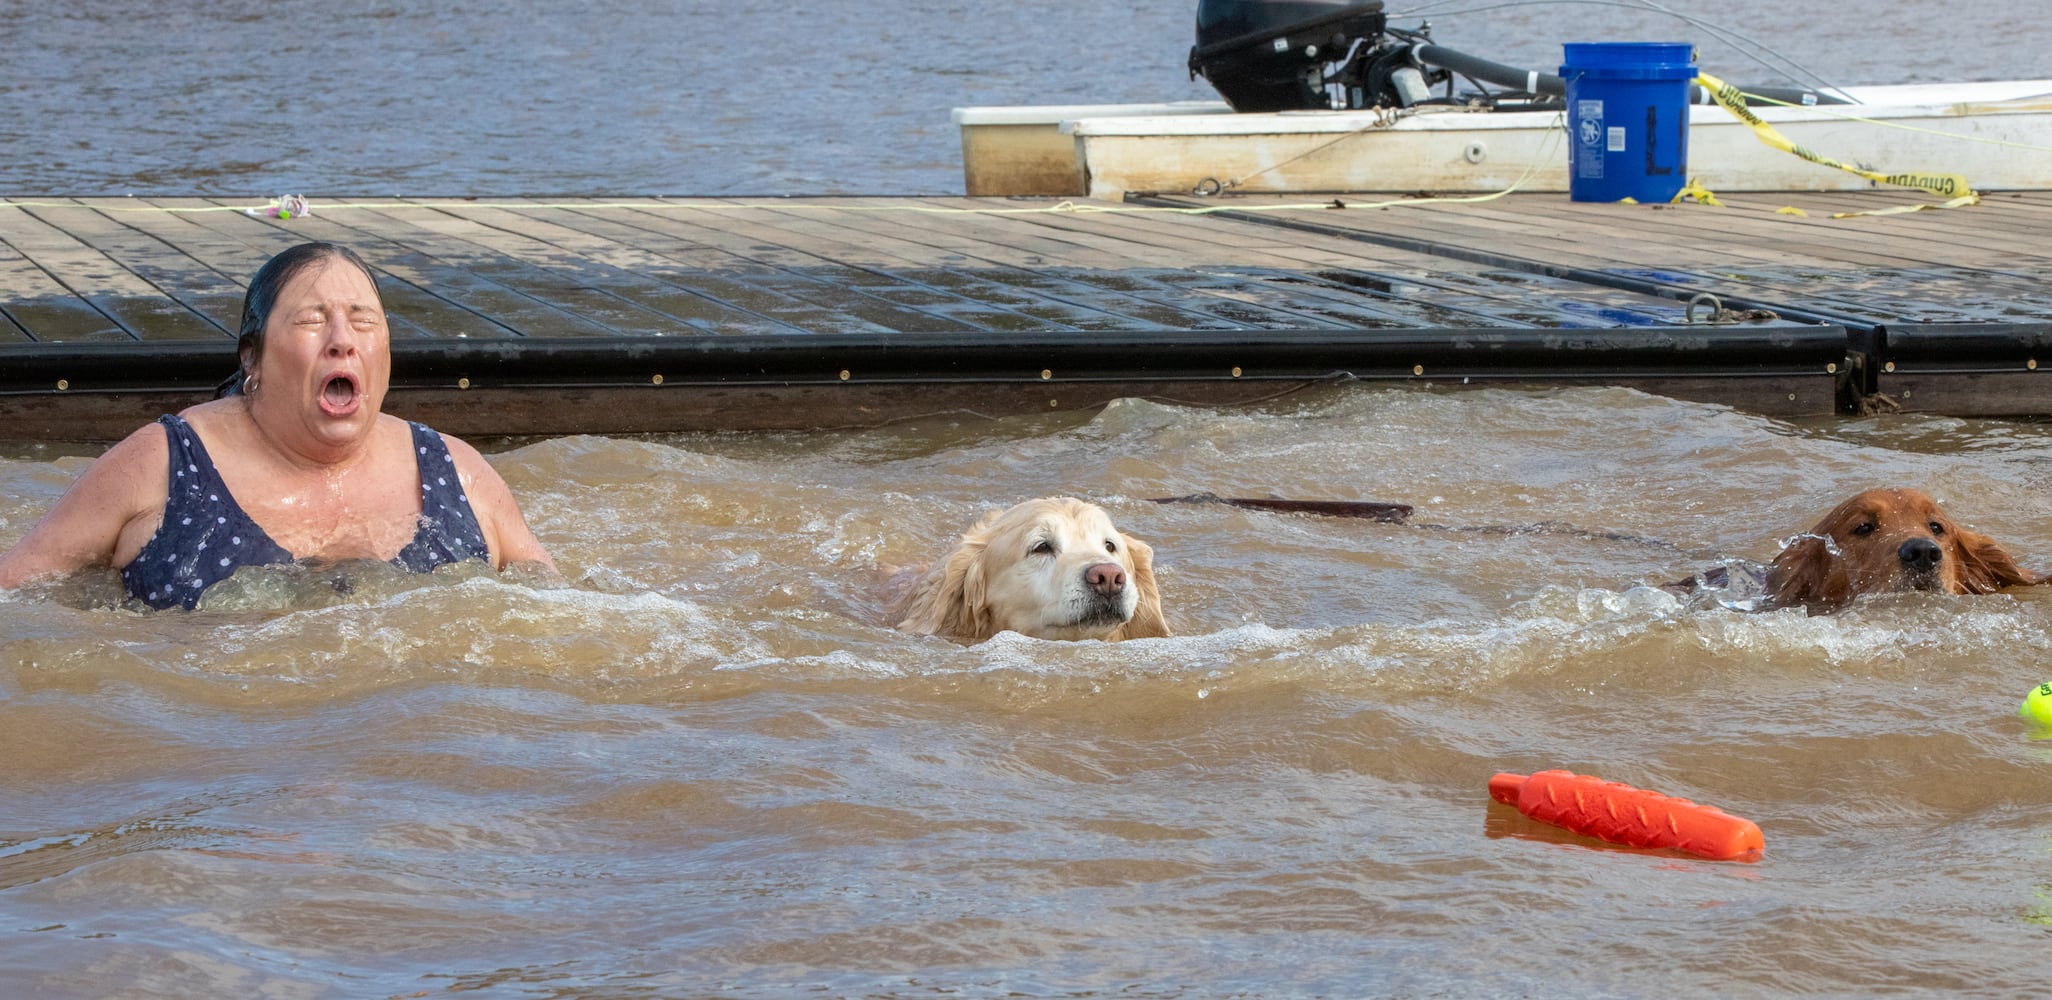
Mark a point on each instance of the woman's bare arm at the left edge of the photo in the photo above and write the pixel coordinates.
(104, 521)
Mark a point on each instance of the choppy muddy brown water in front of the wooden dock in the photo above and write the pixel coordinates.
(705, 767)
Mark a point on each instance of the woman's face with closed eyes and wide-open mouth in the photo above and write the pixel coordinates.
(327, 360)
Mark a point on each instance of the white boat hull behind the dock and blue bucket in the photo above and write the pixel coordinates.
(1996, 134)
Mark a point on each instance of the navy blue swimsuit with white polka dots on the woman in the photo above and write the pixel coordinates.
(206, 537)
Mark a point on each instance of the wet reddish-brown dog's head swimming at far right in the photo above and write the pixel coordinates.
(1889, 541)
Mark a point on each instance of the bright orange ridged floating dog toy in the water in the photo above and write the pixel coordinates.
(1630, 816)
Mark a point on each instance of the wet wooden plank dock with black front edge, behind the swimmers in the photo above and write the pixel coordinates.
(594, 315)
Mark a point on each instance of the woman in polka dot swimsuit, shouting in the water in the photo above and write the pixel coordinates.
(297, 463)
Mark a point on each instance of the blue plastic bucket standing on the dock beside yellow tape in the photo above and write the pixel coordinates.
(1628, 120)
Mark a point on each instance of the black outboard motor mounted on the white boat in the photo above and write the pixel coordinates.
(1273, 54)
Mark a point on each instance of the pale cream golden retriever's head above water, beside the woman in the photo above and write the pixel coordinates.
(1052, 568)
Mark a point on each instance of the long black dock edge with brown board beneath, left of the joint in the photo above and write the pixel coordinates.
(520, 387)
